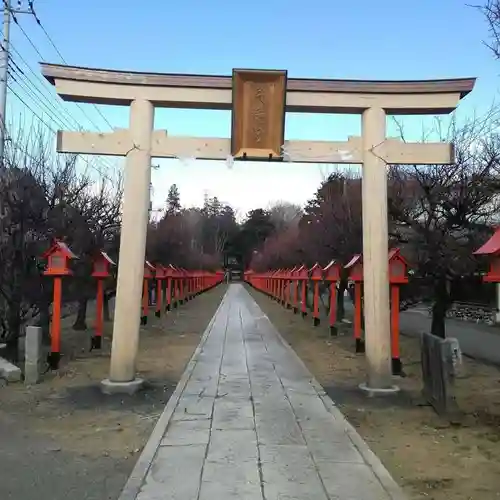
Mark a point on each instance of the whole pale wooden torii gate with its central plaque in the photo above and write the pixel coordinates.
(258, 100)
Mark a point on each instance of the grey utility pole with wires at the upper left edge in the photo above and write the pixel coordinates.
(8, 12)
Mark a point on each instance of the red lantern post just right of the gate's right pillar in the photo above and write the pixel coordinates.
(398, 275)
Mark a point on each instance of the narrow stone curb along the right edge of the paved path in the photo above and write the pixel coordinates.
(392, 488)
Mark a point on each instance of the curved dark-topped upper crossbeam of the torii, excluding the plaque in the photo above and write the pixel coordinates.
(104, 86)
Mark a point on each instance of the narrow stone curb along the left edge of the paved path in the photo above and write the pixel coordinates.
(141, 468)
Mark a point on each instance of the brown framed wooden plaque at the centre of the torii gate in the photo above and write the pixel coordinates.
(258, 114)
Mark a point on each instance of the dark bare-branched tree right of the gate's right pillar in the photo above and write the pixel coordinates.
(441, 213)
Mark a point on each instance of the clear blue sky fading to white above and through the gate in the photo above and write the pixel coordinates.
(384, 40)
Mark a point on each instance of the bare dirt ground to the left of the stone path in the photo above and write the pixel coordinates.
(64, 439)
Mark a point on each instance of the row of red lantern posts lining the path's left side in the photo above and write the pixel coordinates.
(174, 286)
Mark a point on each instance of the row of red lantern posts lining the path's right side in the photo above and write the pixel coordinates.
(289, 288)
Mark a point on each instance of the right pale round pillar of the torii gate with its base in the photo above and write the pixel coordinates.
(375, 254)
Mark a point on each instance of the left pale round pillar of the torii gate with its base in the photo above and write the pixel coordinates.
(132, 252)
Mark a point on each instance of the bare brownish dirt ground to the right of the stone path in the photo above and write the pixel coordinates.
(430, 458)
